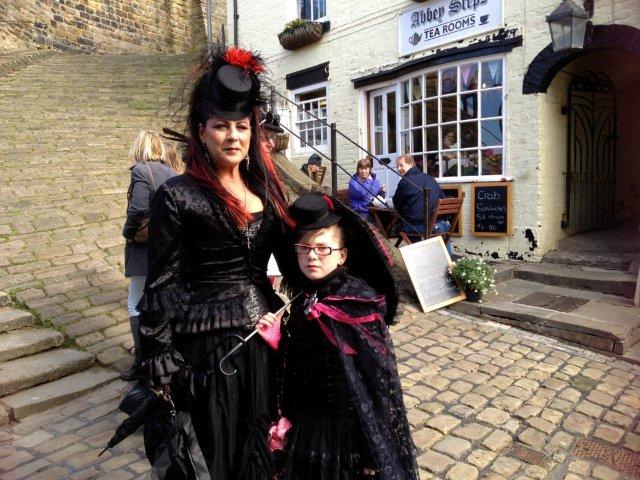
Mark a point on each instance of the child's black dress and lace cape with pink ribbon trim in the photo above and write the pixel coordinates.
(341, 389)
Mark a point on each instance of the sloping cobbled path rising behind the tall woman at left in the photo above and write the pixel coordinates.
(67, 123)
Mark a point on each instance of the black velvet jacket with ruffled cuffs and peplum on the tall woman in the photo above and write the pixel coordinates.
(200, 264)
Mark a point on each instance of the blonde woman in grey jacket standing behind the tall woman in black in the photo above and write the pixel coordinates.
(148, 172)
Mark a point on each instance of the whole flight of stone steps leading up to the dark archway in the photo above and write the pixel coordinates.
(581, 293)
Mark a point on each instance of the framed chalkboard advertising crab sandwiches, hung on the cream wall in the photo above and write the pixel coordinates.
(491, 209)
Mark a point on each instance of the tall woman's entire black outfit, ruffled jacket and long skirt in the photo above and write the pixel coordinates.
(207, 279)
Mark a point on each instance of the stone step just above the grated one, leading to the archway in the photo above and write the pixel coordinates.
(586, 278)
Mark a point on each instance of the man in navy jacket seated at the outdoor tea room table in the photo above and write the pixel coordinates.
(409, 200)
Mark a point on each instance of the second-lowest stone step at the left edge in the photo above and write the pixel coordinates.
(16, 375)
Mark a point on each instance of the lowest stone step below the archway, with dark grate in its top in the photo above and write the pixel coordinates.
(599, 321)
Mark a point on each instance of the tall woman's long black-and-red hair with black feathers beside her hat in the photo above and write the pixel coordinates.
(261, 171)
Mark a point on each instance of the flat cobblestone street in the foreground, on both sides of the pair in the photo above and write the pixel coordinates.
(485, 401)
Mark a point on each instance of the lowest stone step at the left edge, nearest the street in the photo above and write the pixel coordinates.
(47, 395)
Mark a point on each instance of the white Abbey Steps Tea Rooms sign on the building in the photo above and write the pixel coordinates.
(437, 22)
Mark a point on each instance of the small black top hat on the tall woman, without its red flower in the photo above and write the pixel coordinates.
(232, 93)
